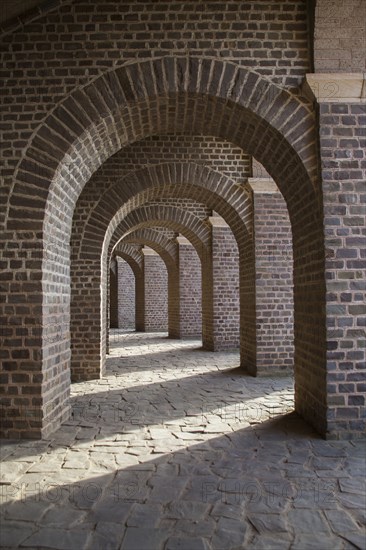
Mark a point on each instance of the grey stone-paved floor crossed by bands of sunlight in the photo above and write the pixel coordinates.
(176, 449)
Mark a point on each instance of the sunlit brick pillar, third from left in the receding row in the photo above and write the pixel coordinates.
(190, 310)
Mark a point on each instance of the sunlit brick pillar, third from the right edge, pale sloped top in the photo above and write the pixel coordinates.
(224, 289)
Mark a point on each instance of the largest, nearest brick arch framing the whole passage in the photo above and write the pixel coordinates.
(160, 96)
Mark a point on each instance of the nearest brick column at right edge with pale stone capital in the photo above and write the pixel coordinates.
(342, 120)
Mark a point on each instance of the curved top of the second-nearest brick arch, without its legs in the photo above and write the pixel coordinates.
(179, 179)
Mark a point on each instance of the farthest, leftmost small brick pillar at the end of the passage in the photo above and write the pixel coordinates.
(126, 296)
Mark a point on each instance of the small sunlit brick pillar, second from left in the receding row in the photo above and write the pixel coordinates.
(156, 292)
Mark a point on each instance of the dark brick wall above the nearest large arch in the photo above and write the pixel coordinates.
(45, 59)
